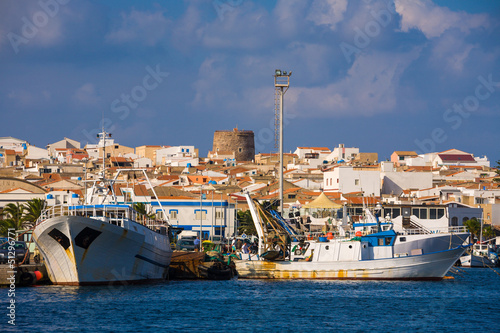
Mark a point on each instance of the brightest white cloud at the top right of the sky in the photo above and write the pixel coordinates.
(433, 20)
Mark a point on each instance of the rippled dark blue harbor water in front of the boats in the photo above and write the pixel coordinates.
(471, 301)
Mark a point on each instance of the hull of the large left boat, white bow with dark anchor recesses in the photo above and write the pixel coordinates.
(128, 254)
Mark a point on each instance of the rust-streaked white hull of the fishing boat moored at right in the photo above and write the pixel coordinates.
(432, 266)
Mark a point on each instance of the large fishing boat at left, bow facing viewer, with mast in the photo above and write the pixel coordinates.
(102, 241)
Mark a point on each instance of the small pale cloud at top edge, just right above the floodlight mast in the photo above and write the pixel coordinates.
(327, 12)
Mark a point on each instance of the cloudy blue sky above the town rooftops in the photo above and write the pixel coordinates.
(379, 75)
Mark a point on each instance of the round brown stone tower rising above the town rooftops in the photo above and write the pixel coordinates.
(240, 142)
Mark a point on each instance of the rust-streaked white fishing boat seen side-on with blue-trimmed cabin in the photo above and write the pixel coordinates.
(367, 257)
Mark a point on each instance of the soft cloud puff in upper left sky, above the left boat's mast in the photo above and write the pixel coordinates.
(136, 26)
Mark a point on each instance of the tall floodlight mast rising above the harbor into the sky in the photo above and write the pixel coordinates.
(281, 84)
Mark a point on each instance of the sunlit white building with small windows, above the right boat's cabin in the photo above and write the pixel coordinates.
(346, 179)
